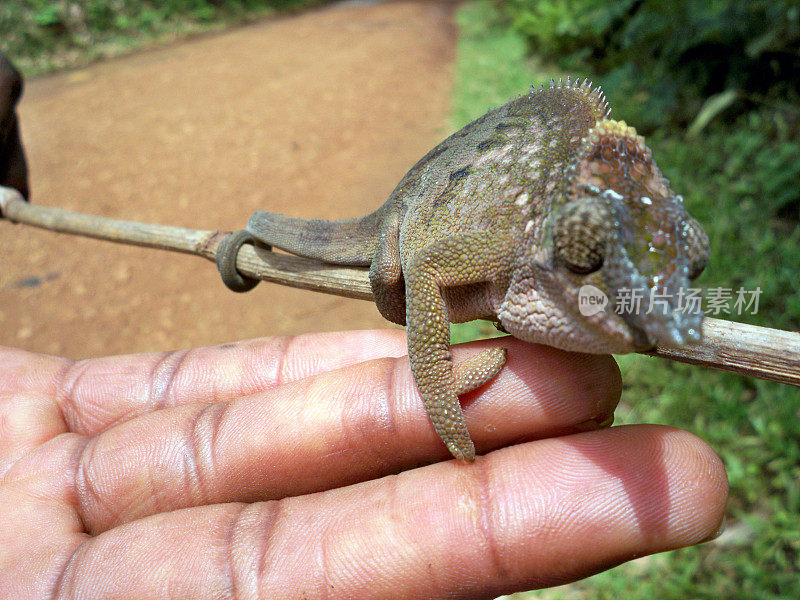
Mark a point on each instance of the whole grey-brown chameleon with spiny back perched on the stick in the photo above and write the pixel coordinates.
(512, 219)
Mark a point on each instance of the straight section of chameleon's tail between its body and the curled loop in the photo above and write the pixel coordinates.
(351, 242)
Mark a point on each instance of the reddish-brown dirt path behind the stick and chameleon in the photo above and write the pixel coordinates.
(314, 115)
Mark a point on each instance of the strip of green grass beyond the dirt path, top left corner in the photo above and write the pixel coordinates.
(40, 36)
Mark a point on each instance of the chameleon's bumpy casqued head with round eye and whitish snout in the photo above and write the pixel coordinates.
(620, 229)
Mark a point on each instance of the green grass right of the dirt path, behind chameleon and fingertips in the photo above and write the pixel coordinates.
(733, 179)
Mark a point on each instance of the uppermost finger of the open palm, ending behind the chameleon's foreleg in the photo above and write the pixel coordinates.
(92, 395)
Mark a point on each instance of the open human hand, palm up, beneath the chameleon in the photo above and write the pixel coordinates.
(288, 467)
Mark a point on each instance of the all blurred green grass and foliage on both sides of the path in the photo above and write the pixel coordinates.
(715, 87)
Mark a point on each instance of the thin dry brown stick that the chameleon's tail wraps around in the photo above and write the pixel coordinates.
(771, 354)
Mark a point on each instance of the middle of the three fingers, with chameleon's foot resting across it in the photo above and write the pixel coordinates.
(333, 429)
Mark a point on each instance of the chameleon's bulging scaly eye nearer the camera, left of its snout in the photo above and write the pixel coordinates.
(580, 236)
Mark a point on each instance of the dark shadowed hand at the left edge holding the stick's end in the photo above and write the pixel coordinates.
(13, 168)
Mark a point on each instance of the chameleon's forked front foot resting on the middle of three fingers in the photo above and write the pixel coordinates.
(444, 407)
